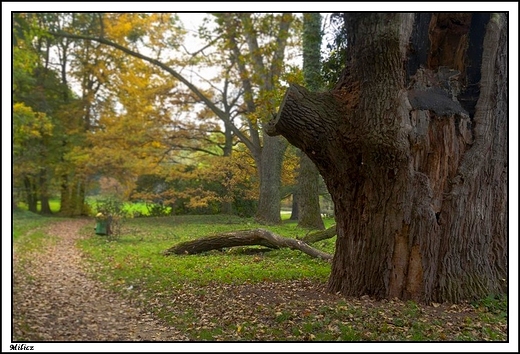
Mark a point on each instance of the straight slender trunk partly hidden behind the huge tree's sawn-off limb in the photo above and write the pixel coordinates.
(309, 213)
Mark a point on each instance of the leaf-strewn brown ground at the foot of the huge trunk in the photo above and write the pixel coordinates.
(303, 311)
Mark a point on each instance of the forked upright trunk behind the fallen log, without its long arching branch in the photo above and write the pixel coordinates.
(268, 155)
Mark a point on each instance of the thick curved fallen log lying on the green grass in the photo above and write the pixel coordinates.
(259, 237)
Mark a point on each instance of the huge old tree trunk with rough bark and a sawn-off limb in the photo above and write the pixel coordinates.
(418, 180)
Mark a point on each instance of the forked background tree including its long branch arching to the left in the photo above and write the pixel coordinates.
(265, 79)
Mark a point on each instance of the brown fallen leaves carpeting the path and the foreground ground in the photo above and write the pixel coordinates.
(55, 299)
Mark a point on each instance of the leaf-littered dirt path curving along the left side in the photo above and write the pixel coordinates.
(54, 300)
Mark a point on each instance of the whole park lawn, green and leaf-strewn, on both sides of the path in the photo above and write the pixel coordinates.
(237, 295)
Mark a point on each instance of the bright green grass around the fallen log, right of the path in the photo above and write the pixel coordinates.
(136, 256)
